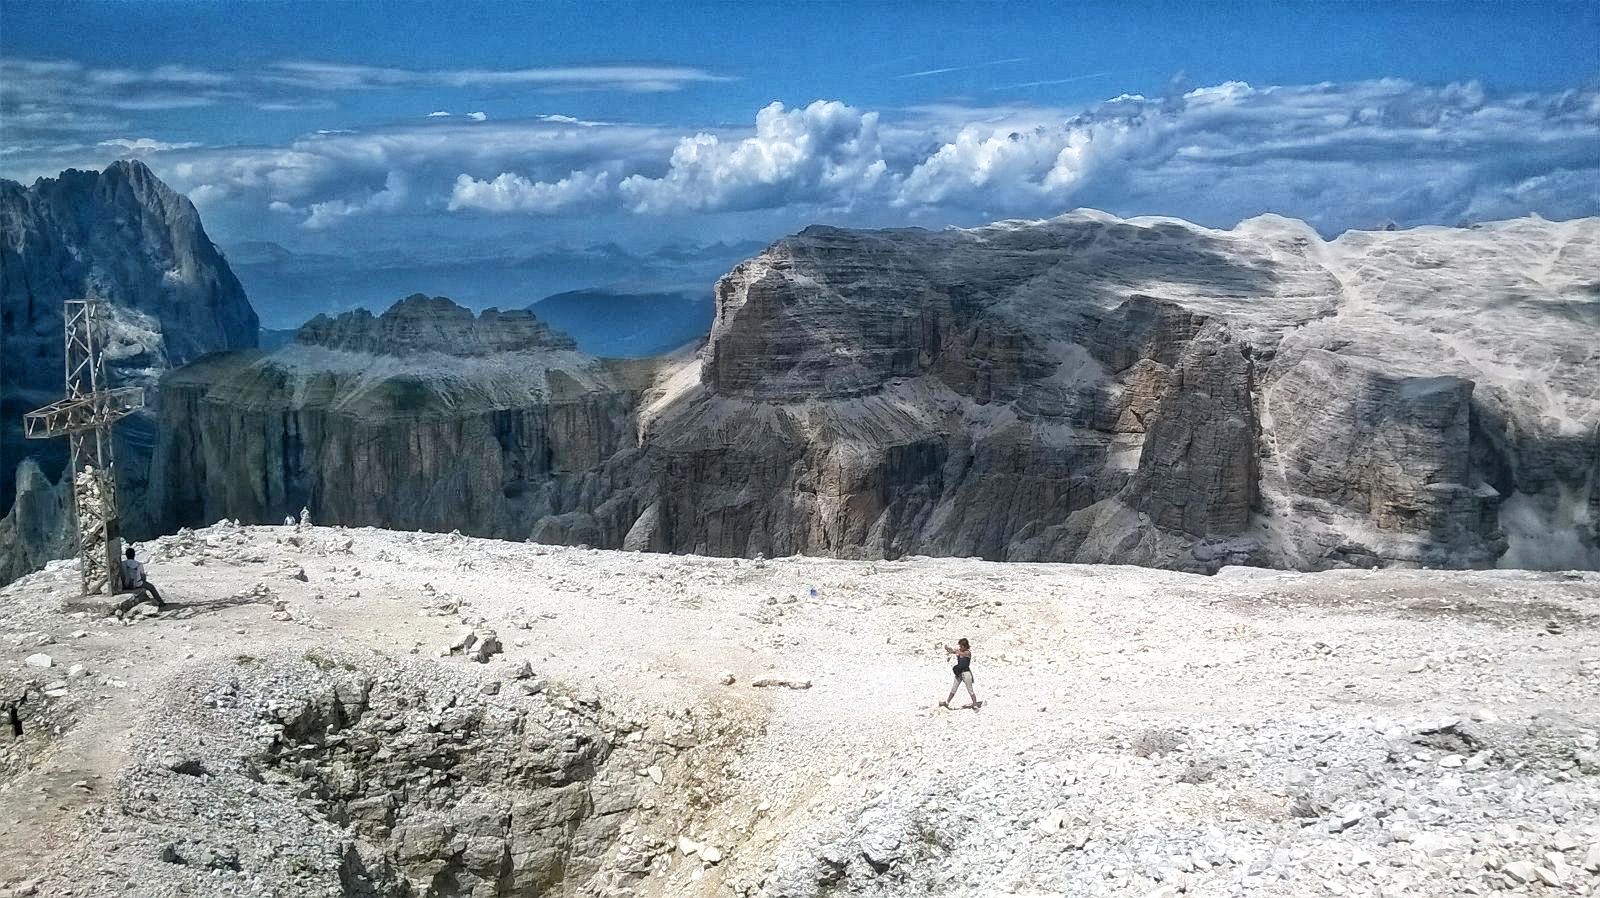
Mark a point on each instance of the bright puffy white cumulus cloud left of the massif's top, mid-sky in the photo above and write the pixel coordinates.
(826, 154)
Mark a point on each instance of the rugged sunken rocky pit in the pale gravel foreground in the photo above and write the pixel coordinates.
(402, 785)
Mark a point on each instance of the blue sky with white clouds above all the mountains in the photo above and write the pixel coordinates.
(428, 135)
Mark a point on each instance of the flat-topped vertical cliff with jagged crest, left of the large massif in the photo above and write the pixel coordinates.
(476, 423)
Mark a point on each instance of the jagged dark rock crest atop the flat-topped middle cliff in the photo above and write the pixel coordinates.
(434, 324)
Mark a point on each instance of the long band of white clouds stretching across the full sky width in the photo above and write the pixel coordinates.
(1337, 154)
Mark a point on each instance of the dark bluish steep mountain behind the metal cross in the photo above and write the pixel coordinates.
(119, 236)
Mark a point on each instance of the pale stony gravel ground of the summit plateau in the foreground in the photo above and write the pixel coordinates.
(1143, 732)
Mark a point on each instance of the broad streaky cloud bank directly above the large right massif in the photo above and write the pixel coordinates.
(1338, 156)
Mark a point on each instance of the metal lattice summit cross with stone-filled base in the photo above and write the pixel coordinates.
(86, 419)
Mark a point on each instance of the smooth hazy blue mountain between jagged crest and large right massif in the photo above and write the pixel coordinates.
(614, 324)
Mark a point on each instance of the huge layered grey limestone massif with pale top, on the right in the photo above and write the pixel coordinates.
(1143, 391)
